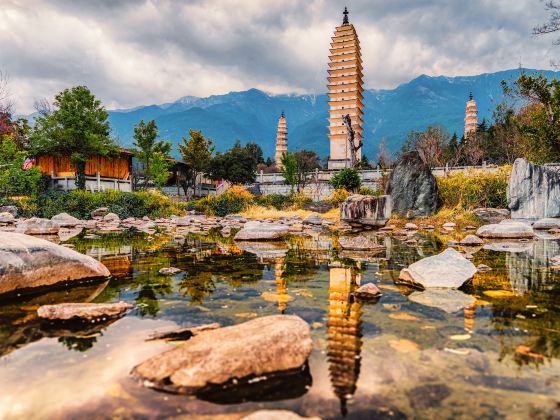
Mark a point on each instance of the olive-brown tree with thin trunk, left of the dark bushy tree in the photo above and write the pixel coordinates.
(196, 152)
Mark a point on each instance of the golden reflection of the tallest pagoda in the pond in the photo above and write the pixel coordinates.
(344, 333)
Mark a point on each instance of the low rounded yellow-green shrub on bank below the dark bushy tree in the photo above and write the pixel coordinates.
(234, 200)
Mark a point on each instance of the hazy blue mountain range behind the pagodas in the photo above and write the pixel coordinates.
(252, 115)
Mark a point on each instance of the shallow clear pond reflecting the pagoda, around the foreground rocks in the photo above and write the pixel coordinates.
(491, 350)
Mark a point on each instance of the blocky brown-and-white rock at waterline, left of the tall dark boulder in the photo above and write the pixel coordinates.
(366, 210)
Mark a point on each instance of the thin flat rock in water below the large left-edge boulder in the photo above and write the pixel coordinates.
(85, 311)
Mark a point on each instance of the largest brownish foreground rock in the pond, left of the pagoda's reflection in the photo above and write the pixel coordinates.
(262, 346)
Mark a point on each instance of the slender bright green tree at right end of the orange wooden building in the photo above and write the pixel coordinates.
(152, 153)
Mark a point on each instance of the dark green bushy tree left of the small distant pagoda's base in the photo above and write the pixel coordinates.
(237, 165)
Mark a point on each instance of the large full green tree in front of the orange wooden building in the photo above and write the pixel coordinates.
(78, 129)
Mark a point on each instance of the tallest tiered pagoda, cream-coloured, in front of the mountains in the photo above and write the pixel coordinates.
(345, 93)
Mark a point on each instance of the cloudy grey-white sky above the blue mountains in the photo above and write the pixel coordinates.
(133, 52)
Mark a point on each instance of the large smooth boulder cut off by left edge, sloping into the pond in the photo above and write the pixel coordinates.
(27, 262)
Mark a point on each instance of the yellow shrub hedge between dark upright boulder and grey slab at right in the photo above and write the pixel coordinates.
(475, 189)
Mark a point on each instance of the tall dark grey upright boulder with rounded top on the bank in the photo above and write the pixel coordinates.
(413, 187)
